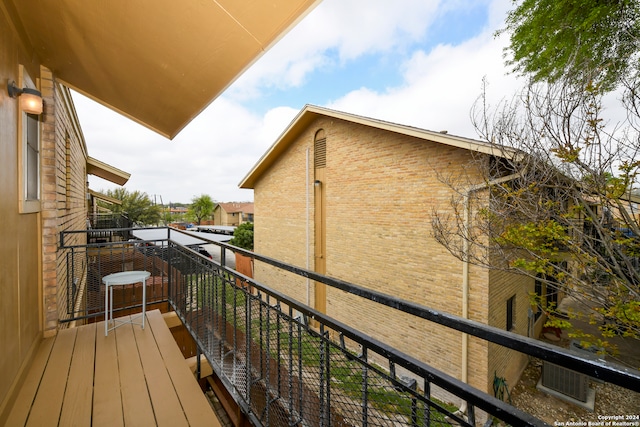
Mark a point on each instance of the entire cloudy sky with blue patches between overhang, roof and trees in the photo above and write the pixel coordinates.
(414, 62)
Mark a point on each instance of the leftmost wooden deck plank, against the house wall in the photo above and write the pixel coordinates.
(26, 395)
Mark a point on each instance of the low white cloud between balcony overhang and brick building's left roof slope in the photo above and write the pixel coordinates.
(209, 156)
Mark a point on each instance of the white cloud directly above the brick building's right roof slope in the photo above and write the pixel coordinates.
(440, 86)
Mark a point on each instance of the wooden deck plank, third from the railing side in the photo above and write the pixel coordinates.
(136, 403)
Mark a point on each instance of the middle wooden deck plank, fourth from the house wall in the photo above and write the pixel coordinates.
(107, 403)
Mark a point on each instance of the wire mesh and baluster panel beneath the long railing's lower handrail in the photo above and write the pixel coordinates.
(285, 369)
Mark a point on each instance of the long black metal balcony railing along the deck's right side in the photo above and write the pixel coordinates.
(287, 364)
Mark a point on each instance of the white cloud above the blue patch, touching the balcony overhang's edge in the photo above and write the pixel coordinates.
(332, 34)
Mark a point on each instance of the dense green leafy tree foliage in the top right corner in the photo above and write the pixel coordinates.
(589, 41)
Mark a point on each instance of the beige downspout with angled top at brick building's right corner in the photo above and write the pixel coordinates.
(465, 266)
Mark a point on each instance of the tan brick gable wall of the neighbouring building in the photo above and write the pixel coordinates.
(380, 190)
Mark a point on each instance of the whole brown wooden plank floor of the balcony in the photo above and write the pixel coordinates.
(133, 377)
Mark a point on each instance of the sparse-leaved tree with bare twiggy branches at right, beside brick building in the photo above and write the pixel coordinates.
(567, 215)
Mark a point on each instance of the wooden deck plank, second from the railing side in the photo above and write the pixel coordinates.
(165, 402)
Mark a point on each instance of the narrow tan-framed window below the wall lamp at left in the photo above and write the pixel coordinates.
(29, 156)
